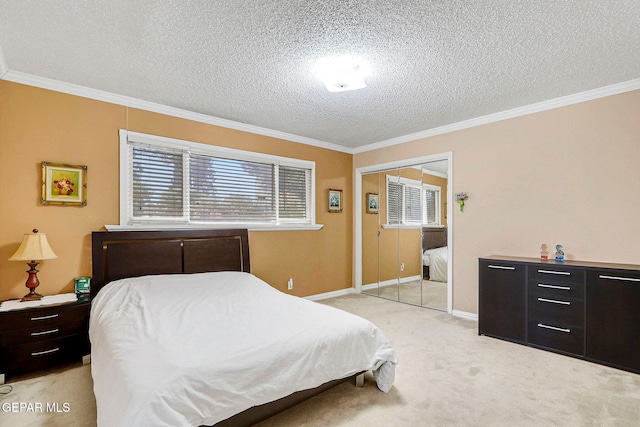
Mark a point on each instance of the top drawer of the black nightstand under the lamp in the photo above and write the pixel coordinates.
(43, 316)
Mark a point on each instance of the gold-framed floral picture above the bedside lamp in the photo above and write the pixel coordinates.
(64, 184)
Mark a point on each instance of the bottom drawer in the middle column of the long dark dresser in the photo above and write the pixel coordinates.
(569, 339)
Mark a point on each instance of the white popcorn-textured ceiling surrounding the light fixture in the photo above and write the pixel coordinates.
(432, 62)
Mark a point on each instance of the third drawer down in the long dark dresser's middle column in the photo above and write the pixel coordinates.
(556, 311)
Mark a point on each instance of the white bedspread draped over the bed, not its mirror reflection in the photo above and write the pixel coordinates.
(187, 350)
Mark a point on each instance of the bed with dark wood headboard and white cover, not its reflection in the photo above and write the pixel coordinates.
(183, 334)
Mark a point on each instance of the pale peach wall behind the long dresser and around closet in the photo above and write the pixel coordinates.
(568, 175)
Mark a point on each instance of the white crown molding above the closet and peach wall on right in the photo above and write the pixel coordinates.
(576, 98)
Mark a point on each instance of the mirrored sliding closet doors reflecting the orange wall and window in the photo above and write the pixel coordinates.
(403, 227)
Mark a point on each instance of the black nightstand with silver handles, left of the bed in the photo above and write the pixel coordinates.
(44, 336)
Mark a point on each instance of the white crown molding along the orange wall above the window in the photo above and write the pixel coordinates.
(99, 95)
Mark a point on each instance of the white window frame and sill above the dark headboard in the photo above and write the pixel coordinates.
(126, 206)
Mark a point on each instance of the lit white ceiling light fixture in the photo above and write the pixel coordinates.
(341, 73)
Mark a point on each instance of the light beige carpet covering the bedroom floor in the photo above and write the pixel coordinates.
(447, 375)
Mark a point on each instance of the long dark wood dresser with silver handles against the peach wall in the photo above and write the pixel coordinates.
(582, 309)
